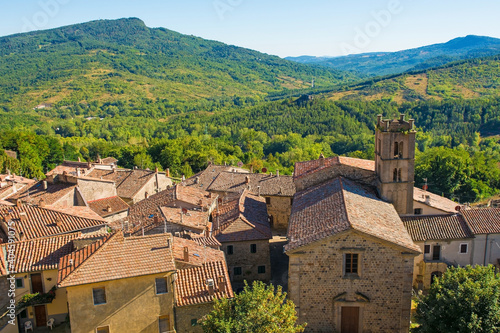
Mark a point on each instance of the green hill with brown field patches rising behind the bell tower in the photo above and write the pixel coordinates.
(466, 79)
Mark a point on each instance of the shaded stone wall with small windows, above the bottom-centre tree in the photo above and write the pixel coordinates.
(249, 262)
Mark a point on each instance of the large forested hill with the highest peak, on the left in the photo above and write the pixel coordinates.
(123, 60)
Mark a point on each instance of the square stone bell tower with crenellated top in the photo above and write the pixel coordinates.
(395, 162)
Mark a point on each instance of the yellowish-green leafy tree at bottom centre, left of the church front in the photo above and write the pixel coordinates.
(258, 309)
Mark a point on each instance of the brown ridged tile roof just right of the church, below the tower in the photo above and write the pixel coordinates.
(437, 227)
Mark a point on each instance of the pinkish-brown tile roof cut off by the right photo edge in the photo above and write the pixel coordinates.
(483, 220)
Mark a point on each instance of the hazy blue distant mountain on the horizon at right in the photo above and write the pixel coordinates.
(384, 63)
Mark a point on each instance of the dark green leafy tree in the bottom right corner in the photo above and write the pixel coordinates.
(462, 300)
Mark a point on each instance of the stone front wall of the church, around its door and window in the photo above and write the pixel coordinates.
(382, 289)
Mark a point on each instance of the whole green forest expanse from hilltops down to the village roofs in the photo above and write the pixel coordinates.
(153, 97)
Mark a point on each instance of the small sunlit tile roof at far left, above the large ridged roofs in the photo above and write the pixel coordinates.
(33, 194)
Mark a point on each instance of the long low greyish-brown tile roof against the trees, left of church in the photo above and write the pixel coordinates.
(270, 185)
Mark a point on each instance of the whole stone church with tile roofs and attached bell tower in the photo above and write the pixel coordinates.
(351, 257)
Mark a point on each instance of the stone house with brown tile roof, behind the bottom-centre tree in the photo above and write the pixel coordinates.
(241, 226)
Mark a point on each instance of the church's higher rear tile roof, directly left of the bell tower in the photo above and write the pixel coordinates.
(309, 167)
